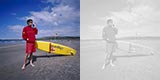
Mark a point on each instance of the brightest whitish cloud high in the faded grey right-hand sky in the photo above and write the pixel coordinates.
(133, 16)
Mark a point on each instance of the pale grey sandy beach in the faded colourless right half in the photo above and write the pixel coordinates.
(128, 66)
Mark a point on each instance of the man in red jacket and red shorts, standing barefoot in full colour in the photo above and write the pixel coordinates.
(28, 35)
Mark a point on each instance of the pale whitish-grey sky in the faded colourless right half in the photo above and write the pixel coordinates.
(131, 17)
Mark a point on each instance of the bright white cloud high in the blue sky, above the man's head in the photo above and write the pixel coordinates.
(57, 16)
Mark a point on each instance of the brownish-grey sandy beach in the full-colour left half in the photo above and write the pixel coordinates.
(47, 66)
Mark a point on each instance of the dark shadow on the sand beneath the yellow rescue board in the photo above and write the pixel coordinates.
(35, 57)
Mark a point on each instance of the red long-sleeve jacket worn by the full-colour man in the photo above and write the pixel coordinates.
(29, 33)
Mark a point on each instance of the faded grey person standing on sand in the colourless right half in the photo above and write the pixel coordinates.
(108, 34)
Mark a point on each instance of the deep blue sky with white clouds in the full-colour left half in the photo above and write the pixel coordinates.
(51, 17)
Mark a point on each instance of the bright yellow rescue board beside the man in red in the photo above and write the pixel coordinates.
(55, 48)
